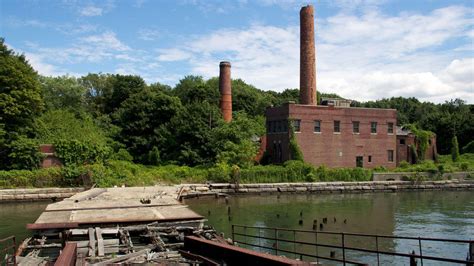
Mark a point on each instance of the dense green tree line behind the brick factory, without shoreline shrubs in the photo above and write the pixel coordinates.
(122, 117)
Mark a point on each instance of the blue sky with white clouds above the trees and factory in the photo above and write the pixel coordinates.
(365, 49)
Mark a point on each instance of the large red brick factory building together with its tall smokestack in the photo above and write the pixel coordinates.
(333, 134)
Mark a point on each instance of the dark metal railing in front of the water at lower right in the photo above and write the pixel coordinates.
(241, 236)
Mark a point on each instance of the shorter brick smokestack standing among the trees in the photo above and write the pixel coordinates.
(226, 91)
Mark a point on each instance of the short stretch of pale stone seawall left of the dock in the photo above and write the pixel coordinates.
(37, 194)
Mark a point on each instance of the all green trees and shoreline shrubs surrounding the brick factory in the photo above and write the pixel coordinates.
(116, 129)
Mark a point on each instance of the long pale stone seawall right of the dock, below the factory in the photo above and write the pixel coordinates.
(196, 190)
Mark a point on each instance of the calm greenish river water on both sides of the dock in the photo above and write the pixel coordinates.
(437, 214)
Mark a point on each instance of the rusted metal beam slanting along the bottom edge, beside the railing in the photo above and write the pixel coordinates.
(233, 255)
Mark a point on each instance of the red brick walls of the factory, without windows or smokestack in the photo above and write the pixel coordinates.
(338, 149)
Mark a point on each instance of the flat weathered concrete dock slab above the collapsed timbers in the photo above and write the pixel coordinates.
(127, 205)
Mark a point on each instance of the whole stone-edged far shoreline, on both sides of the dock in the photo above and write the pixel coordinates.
(187, 191)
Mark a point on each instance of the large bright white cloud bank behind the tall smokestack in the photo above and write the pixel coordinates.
(363, 57)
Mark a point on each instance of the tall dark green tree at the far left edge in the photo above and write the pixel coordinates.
(20, 103)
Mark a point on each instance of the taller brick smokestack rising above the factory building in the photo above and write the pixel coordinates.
(307, 56)
